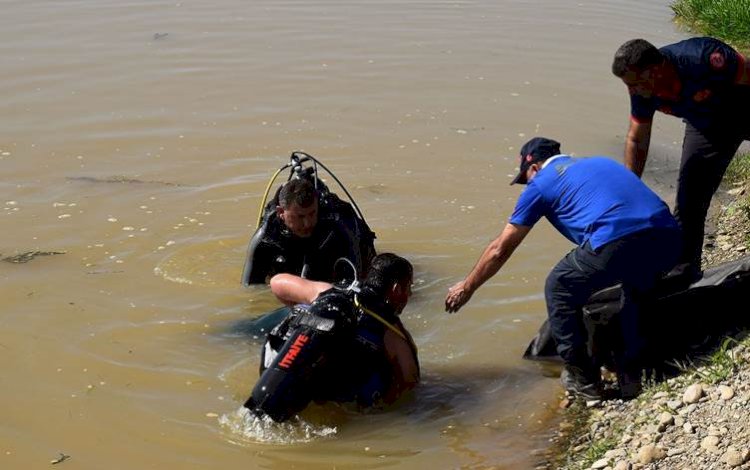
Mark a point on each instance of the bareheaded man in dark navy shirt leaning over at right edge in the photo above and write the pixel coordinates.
(705, 82)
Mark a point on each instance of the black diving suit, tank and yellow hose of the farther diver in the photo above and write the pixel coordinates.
(342, 232)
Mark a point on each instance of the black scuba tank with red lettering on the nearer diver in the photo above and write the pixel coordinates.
(291, 380)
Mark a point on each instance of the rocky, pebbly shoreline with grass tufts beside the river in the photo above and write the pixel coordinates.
(695, 421)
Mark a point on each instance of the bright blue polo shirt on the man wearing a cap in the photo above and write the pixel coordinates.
(592, 199)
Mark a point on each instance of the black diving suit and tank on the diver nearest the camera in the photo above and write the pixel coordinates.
(332, 350)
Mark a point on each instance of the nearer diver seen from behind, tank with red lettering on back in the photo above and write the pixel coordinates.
(347, 345)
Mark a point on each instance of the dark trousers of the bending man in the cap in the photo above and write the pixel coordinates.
(636, 261)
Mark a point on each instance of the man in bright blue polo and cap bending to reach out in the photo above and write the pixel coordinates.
(624, 234)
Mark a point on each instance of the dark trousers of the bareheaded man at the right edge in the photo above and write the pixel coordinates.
(706, 154)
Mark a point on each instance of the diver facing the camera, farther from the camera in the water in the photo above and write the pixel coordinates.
(305, 234)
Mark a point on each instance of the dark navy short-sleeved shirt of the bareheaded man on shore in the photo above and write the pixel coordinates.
(708, 70)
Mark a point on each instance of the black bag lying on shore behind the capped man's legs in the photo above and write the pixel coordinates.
(678, 319)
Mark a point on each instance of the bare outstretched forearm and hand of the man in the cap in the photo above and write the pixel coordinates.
(493, 258)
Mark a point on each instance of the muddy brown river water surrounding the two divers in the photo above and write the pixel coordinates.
(136, 140)
